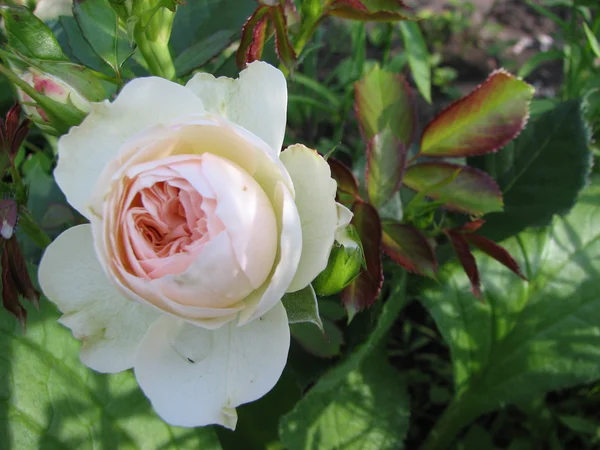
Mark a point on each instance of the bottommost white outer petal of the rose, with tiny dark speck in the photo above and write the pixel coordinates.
(196, 377)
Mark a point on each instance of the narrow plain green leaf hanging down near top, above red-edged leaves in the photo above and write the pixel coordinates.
(418, 57)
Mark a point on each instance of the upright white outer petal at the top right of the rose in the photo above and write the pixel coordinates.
(257, 100)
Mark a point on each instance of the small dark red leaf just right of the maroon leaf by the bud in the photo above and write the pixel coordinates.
(406, 245)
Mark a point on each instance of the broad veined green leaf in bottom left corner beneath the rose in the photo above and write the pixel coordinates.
(50, 400)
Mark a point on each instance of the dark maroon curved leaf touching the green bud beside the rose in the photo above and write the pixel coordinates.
(364, 290)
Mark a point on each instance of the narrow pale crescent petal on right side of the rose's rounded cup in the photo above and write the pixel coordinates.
(286, 262)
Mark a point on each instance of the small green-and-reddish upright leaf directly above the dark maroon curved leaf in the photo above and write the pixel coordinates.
(386, 158)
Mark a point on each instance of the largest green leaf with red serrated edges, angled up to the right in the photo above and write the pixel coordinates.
(481, 122)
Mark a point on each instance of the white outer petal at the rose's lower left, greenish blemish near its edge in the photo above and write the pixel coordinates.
(110, 326)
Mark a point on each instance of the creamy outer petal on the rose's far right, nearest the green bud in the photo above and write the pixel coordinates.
(315, 200)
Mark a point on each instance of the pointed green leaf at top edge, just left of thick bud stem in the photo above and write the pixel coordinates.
(99, 24)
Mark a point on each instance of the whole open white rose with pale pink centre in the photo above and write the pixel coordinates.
(198, 228)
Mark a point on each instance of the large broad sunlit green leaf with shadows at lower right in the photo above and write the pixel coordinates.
(526, 338)
